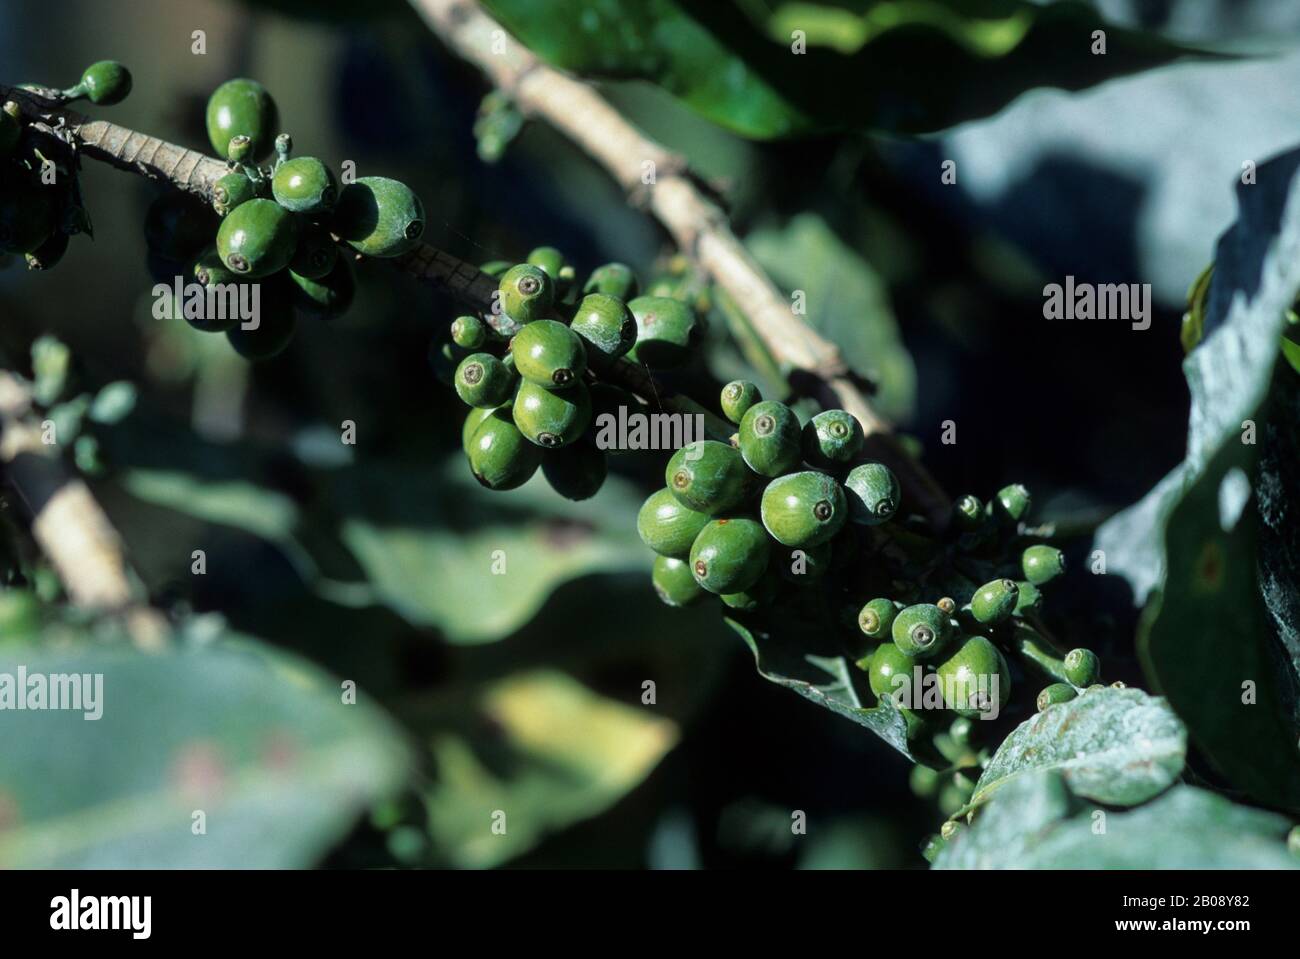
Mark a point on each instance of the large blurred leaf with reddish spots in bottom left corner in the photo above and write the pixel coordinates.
(261, 743)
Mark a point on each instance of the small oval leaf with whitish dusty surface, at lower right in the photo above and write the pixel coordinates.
(1117, 747)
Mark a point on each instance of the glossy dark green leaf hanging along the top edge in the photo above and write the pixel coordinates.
(744, 75)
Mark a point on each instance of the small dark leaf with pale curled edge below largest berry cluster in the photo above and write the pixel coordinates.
(782, 656)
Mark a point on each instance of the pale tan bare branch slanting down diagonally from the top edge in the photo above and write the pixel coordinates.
(697, 225)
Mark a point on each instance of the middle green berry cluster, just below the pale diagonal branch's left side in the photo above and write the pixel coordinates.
(534, 393)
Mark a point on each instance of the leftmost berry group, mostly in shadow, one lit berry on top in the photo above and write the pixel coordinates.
(41, 203)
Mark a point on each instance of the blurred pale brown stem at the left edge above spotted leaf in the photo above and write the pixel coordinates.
(70, 527)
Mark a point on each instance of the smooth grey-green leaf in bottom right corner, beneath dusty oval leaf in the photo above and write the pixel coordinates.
(1037, 825)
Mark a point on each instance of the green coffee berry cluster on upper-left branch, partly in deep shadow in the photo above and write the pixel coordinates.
(287, 227)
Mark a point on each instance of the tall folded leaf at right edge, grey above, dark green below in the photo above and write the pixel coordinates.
(1215, 639)
